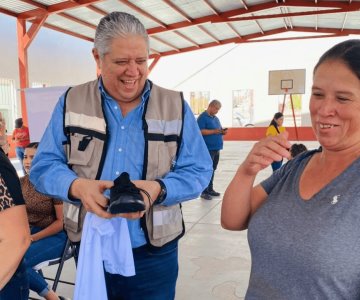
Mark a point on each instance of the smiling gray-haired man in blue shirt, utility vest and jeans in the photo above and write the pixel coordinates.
(129, 122)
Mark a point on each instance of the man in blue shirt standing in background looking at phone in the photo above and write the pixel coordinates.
(212, 132)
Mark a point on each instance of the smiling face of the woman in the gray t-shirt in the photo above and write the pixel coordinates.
(335, 105)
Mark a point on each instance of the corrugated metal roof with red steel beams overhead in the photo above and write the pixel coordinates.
(177, 26)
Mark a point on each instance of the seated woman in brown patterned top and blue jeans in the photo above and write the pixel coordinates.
(48, 238)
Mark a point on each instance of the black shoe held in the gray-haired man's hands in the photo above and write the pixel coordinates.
(125, 197)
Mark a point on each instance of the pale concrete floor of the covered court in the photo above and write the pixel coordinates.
(214, 264)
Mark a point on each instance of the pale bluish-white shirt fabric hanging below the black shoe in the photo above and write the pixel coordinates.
(104, 243)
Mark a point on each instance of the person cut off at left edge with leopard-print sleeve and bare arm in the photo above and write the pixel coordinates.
(14, 234)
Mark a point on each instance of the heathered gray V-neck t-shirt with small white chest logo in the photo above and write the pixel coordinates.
(306, 249)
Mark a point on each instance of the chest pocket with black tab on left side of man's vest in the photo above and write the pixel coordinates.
(81, 150)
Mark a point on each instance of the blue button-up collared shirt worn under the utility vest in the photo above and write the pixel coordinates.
(125, 153)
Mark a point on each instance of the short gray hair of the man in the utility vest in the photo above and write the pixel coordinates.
(117, 24)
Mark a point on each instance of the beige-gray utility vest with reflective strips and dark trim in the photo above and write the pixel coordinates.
(85, 126)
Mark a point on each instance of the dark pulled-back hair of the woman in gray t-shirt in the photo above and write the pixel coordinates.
(348, 52)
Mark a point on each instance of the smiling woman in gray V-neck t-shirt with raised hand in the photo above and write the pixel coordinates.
(304, 218)
